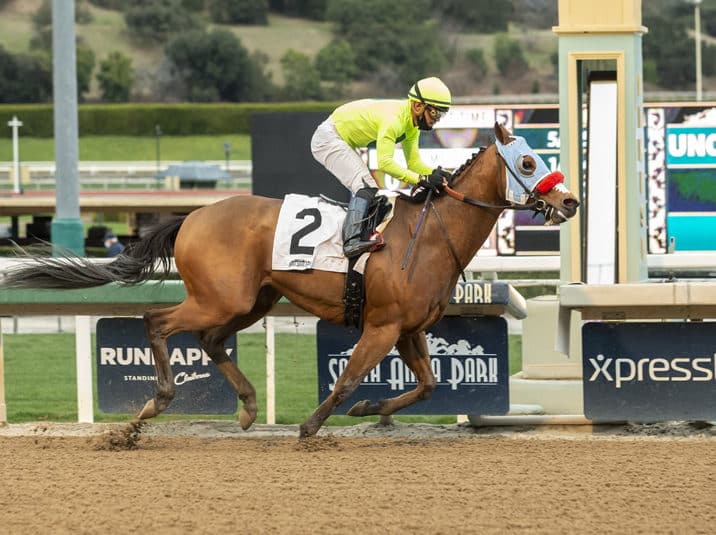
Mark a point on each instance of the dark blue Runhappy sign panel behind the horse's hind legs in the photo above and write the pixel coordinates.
(126, 377)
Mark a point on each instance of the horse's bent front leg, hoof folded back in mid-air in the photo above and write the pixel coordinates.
(413, 350)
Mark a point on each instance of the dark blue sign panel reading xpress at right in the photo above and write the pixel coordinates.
(649, 371)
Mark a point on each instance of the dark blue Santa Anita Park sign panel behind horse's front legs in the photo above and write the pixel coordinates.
(469, 357)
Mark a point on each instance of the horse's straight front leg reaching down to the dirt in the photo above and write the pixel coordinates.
(373, 345)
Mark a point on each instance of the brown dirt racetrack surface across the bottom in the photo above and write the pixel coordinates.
(211, 477)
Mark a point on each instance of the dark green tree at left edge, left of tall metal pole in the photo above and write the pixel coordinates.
(24, 78)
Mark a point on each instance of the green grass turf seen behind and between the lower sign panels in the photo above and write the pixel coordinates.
(40, 379)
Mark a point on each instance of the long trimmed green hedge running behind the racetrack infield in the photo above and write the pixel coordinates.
(140, 119)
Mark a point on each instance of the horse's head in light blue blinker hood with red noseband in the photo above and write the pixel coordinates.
(529, 182)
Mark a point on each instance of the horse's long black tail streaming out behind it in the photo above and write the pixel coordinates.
(137, 263)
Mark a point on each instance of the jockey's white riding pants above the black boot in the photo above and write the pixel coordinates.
(339, 158)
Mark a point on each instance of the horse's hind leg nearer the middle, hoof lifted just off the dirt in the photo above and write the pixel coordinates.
(212, 340)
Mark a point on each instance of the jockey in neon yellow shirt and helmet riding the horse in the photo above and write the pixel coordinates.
(385, 122)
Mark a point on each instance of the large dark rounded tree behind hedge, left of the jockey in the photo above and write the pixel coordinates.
(216, 66)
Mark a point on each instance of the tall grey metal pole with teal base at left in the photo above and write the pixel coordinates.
(67, 228)
